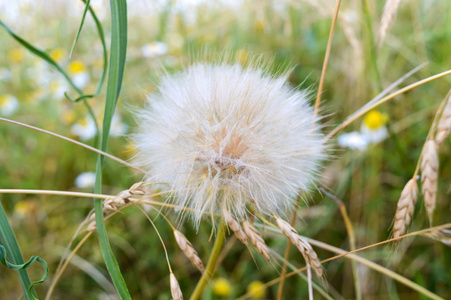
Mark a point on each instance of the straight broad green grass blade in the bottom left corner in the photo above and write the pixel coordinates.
(8, 239)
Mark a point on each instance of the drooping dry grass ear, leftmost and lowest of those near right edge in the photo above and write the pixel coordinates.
(405, 209)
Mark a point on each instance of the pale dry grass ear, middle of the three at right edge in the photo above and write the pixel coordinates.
(429, 174)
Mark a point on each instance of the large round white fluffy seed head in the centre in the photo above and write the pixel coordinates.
(225, 137)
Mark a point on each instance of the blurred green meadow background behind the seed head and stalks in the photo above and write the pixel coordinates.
(367, 177)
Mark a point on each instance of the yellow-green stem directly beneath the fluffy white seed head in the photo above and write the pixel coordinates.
(209, 270)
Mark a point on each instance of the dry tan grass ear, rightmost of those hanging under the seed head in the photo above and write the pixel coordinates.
(303, 246)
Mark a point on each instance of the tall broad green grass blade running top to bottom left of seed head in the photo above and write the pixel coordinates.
(115, 74)
